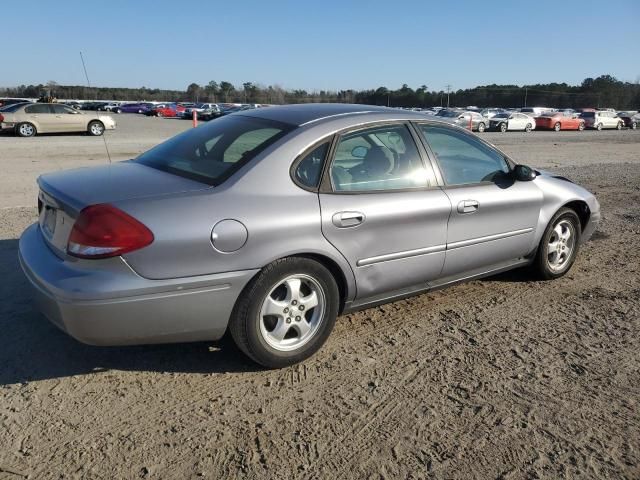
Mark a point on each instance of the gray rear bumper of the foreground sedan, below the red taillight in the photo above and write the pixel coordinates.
(107, 303)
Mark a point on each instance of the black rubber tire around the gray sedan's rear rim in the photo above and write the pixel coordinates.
(246, 320)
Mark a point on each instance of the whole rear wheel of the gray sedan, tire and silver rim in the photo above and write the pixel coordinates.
(286, 313)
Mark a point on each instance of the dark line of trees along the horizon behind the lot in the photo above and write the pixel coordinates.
(603, 91)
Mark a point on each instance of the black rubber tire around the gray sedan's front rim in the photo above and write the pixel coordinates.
(541, 265)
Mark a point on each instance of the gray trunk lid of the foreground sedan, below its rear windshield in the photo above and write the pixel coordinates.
(63, 194)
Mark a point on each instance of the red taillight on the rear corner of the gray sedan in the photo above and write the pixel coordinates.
(103, 231)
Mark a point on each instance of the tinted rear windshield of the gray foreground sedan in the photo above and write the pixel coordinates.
(213, 152)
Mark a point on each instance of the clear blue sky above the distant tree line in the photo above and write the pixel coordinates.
(316, 45)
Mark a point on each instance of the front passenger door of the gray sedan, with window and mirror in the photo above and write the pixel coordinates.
(493, 217)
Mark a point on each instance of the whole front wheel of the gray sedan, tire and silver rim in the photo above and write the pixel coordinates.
(559, 245)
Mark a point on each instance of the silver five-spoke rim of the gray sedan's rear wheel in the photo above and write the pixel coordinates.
(292, 312)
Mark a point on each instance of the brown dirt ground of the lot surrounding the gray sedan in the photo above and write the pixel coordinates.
(504, 378)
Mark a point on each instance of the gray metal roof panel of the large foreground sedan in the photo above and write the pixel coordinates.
(306, 113)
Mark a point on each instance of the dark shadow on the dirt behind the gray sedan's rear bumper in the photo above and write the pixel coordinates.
(31, 348)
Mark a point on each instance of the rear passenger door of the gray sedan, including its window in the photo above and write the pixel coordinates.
(382, 209)
